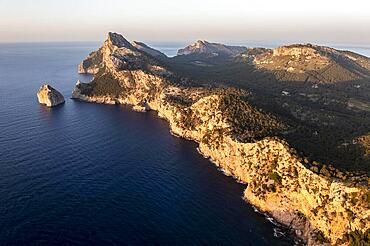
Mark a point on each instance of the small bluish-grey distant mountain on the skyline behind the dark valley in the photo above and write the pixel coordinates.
(215, 49)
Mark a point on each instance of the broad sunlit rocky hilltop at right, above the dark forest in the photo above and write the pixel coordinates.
(307, 62)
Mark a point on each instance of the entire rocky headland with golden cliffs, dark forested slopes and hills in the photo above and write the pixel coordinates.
(292, 122)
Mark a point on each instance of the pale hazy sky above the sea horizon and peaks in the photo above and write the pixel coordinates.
(233, 21)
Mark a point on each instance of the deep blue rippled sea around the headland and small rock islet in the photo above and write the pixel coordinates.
(89, 174)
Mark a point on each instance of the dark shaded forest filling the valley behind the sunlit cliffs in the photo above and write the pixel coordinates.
(322, 126)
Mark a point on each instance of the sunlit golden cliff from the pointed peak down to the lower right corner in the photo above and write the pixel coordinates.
(320, 205)
